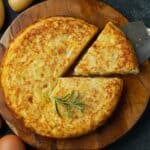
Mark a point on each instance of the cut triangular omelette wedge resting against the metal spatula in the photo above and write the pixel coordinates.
(111, 53)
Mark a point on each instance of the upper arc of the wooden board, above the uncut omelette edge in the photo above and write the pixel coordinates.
(90, 10)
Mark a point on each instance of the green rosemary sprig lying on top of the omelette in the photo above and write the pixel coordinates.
(69, 100)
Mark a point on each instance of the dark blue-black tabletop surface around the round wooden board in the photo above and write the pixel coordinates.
(139, 137)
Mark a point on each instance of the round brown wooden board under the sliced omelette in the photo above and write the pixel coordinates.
(136, 91)
